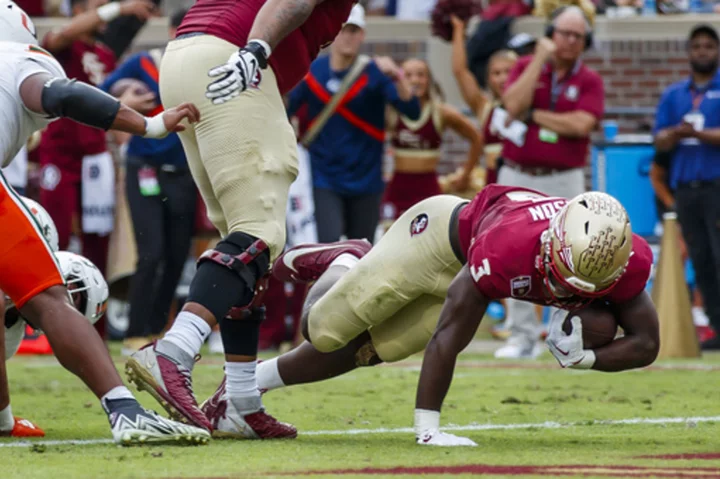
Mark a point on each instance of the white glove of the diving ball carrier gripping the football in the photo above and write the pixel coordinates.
(568, 348)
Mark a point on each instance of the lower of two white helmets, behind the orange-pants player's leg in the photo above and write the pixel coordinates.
(87, 288)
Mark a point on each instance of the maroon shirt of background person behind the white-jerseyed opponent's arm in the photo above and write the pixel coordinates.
(89, 64)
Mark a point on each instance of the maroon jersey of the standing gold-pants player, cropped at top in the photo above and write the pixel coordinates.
(232, 20)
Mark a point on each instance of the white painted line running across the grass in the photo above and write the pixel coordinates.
(469, 427)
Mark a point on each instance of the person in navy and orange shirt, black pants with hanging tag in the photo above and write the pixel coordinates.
(161, 195)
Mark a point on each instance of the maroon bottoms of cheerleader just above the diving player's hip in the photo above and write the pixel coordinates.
(407, 189)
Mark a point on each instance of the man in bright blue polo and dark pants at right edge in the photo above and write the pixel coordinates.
(688, 125)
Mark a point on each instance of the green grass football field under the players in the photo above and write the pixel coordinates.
(530, 420)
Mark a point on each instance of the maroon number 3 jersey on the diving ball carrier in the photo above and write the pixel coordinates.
(500, 230)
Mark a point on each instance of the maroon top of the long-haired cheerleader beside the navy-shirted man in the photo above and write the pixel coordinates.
(422, 135)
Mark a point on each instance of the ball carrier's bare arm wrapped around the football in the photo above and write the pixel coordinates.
(641, 343)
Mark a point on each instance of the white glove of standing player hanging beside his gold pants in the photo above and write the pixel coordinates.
(241, 71)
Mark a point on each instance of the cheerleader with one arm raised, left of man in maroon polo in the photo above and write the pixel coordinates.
(481, 104)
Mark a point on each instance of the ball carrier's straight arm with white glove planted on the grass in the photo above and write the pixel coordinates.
(460, 317)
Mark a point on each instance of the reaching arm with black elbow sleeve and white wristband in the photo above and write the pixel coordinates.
(60, 97)
